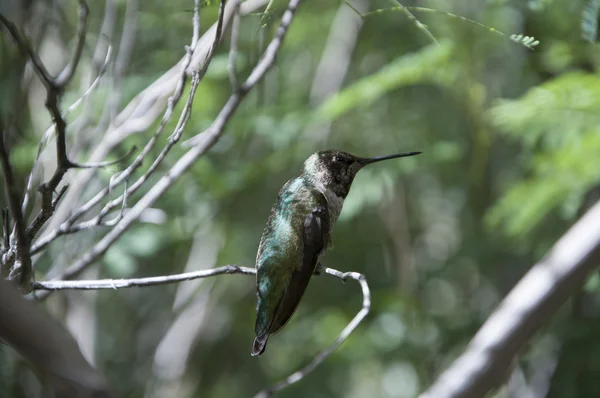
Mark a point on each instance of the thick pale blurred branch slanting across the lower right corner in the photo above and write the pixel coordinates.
(531, 303)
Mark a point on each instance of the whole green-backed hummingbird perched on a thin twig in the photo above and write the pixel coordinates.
(297, 233)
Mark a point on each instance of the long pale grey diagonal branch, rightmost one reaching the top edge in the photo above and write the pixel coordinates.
(211, 136)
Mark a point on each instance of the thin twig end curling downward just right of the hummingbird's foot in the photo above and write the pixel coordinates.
(323, 355)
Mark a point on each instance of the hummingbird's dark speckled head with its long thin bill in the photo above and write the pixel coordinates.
(335, 170)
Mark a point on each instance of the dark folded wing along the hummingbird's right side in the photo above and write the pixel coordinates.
(315, 237)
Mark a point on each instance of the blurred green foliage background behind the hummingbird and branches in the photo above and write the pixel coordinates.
(511, 157)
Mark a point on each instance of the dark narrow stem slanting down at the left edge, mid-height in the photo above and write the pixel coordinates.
(14, 202)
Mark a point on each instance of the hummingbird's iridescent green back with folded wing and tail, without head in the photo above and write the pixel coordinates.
(285, 263)
